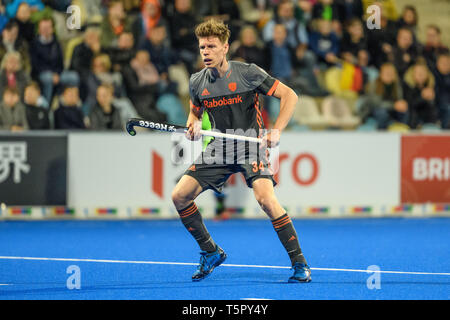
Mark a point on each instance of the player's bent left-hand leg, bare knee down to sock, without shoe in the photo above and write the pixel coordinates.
(183, 196)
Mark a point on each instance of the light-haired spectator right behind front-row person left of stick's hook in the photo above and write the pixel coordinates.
(101, 73)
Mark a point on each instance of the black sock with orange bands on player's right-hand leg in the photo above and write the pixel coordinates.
(288, 237)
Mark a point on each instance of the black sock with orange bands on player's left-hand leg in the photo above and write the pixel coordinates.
(192, 220)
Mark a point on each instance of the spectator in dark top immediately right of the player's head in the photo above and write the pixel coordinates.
(249, 49)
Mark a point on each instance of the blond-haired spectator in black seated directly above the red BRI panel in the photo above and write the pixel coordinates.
(419, 93)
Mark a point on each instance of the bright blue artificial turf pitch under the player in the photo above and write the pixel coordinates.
(396, 244)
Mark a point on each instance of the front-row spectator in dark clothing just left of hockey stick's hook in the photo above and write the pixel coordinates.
(104, 115)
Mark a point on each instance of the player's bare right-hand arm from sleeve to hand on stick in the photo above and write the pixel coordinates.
(288, 100)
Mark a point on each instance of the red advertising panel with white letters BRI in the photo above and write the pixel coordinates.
(425, 169)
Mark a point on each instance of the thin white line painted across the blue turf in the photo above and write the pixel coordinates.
(223, 265)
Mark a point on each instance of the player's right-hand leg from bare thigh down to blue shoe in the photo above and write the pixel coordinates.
(265, 196)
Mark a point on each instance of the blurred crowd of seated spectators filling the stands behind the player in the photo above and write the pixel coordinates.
(133, 58)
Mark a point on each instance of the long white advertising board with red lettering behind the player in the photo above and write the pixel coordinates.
(316, 170)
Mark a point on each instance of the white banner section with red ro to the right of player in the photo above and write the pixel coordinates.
(334, 169)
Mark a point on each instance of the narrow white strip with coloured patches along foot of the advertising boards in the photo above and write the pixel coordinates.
(149, 213)
